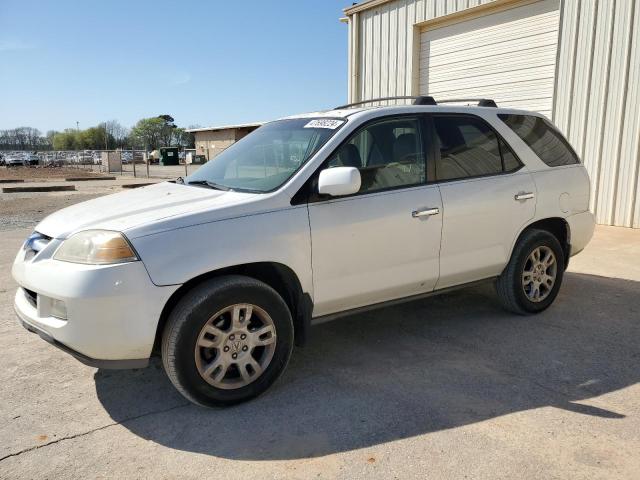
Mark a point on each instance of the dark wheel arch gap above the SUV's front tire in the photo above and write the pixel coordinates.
(277, 275)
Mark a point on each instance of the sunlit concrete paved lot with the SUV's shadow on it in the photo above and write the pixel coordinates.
(449, 387)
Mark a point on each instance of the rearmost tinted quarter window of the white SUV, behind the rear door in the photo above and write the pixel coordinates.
(547, 143)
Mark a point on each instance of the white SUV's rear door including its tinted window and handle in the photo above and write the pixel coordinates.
(487, 194)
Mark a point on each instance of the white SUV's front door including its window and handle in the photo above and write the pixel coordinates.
(382, 243)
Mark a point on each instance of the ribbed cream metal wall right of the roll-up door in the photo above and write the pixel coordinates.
(598, 101)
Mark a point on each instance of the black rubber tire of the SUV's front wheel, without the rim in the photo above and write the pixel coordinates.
(187, 320)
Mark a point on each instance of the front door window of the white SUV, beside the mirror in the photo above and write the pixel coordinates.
(388, 154)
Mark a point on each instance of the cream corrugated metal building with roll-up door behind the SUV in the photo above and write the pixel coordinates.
(578, 62)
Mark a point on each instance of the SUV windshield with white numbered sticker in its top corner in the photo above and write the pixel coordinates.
(266, 158)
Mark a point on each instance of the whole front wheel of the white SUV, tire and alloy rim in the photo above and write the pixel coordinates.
(227, 341)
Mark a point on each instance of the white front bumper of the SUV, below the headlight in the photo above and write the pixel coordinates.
(112, 311)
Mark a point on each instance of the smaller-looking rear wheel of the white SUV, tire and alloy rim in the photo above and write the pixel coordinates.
(531, 280)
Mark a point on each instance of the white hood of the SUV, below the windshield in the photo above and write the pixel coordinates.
(162, 203)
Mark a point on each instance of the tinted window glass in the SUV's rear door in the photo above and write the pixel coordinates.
(470, 148)
